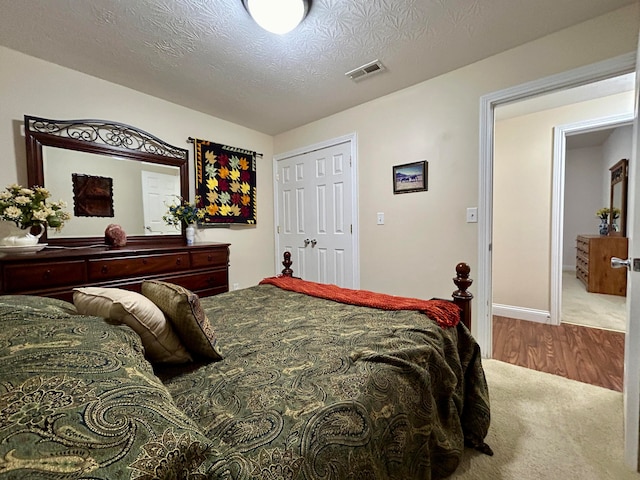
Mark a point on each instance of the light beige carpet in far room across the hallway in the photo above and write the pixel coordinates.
(591, 309)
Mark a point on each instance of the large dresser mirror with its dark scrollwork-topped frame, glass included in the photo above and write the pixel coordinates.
(107, 173)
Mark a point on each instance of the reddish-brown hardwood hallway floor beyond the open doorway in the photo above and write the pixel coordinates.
(586, 354)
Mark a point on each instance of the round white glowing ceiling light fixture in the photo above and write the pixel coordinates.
(277, 16)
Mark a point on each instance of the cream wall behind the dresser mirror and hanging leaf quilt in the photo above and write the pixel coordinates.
(29, 86)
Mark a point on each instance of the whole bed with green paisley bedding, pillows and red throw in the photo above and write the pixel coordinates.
(263, 383)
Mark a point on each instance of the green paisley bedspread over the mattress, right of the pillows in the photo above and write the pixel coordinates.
(313, 389)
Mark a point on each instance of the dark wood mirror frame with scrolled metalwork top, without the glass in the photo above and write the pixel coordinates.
(107, 138)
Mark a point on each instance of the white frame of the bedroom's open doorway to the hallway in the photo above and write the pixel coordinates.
(573, 78)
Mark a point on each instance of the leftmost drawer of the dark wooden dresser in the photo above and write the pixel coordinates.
(39, 276)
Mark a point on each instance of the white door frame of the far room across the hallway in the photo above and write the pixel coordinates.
(557, 200)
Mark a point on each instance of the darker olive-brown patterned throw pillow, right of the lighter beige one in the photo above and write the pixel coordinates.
(183, 309)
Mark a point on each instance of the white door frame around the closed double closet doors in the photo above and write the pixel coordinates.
(355, 227)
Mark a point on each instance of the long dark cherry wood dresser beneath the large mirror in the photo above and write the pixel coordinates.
(202, 268)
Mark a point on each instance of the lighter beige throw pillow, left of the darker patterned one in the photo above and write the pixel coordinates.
(161, 343)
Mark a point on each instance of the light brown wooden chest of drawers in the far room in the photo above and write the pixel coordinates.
(593, 263)
